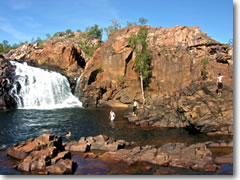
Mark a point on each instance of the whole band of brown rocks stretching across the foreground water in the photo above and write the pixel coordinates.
(47, 154)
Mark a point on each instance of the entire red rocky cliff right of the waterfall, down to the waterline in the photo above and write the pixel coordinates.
(178, 95)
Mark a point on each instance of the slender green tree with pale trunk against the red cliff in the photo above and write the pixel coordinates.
(142, 61)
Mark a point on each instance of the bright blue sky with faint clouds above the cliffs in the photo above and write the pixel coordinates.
(22, 20)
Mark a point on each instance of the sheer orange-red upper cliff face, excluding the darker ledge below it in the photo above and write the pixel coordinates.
(176, 63)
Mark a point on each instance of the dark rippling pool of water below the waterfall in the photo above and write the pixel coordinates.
(19, 125)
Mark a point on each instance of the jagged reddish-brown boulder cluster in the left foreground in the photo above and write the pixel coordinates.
(43, 155)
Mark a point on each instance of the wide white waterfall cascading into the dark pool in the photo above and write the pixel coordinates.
(42, 89)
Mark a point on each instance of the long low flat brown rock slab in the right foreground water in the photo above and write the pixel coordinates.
(195, 156)
